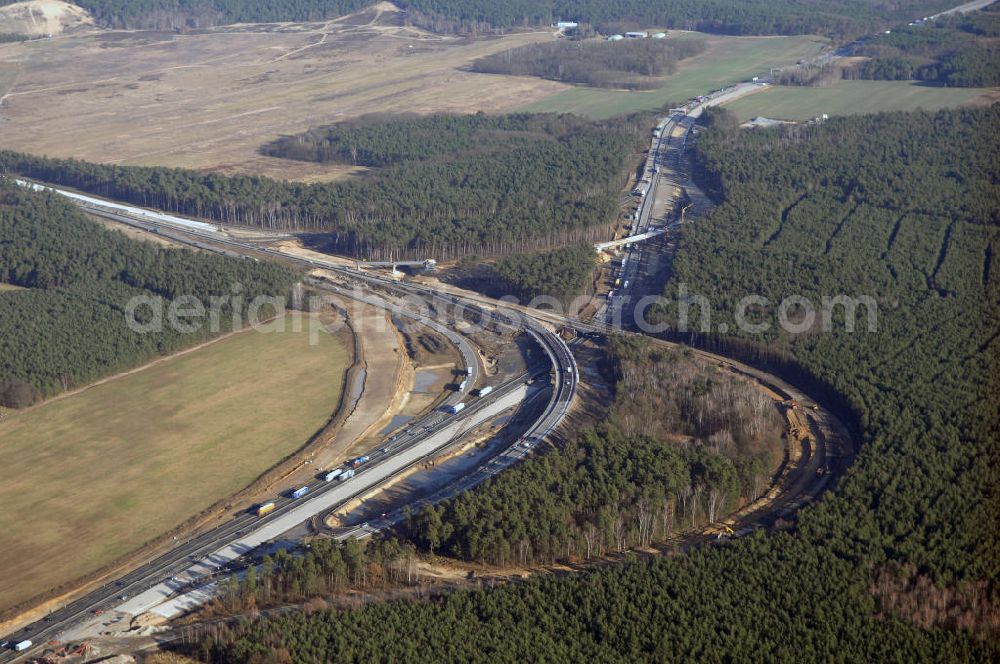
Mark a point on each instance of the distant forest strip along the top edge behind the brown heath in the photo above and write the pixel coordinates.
(840, 18)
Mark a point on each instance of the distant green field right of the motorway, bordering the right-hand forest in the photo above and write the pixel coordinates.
(849, 97)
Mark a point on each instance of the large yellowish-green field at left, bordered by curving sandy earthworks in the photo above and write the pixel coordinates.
(94, 475)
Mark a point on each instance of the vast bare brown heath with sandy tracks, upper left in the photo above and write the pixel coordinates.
(208, 100)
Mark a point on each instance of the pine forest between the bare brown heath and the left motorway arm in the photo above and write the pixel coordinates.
(440, 186)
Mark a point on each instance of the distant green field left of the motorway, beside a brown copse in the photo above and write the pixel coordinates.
(727, 60)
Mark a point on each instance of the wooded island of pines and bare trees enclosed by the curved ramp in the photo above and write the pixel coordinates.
(683, 444)
